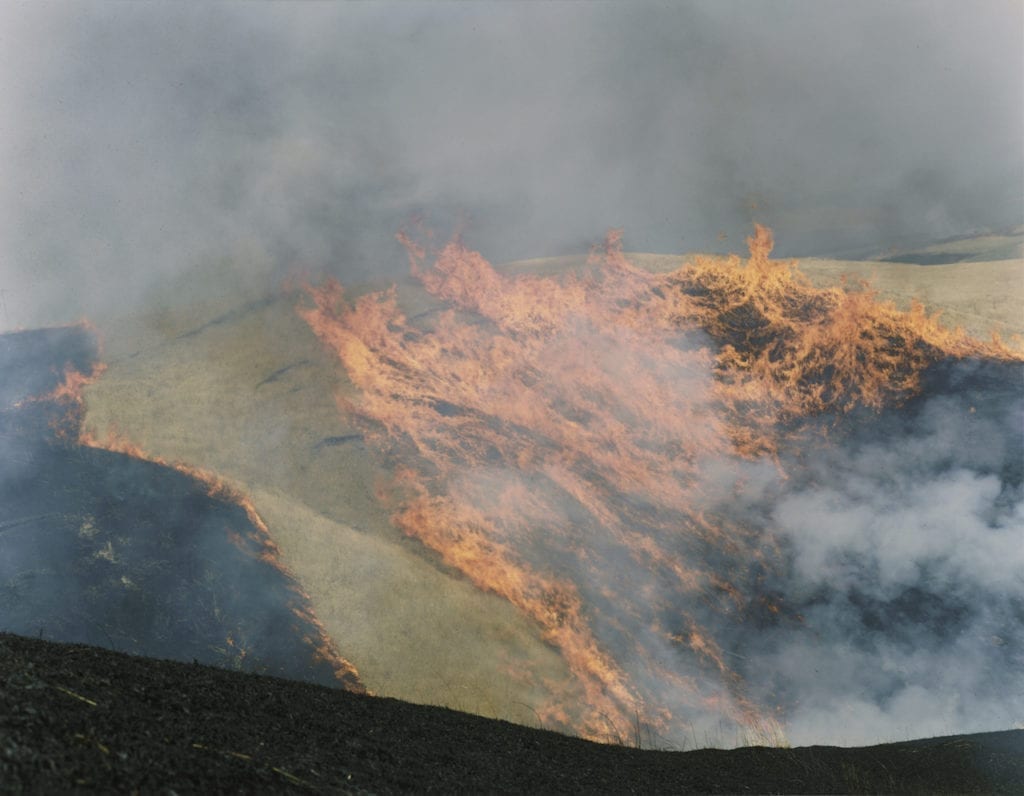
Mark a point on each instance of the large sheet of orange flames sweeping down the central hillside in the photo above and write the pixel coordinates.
(556, 438)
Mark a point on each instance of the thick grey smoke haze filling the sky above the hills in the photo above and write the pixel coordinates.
(146, 142)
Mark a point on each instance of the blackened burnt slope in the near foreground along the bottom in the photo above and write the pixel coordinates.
(79, 718)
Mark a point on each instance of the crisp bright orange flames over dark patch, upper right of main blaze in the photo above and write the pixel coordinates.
(790, 351)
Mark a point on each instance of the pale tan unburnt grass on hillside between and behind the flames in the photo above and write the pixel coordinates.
(248, 393)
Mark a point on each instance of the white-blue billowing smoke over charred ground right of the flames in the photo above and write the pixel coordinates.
(906, 560)
